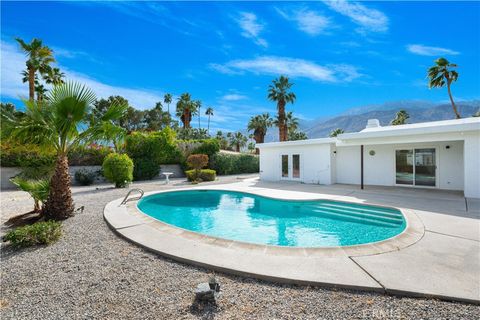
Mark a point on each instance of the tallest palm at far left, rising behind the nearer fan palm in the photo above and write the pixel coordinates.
(39, 59)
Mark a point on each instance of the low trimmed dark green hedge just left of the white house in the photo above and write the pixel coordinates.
(224, 163)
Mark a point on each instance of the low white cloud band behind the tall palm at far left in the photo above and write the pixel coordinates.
(13, 62)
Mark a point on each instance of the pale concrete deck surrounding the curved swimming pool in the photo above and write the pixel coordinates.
(437, 256)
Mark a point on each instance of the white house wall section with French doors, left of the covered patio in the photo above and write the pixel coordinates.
(315, 163)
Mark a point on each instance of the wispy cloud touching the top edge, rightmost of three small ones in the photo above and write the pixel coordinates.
(368, 19)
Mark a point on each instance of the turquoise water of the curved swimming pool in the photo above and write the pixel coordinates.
(255, 219)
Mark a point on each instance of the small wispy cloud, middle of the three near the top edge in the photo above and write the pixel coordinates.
(309, 21)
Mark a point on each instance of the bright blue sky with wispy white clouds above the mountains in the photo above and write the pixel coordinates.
(338, 54)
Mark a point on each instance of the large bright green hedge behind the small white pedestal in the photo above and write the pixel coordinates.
(150, 150)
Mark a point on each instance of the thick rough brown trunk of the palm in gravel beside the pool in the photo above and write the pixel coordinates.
(59, 204)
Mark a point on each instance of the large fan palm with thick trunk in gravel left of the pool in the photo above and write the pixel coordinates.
(56, 123)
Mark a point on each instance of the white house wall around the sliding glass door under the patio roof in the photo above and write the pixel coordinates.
(380, 168)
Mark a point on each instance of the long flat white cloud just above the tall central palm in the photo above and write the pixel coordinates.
(292, 67)
